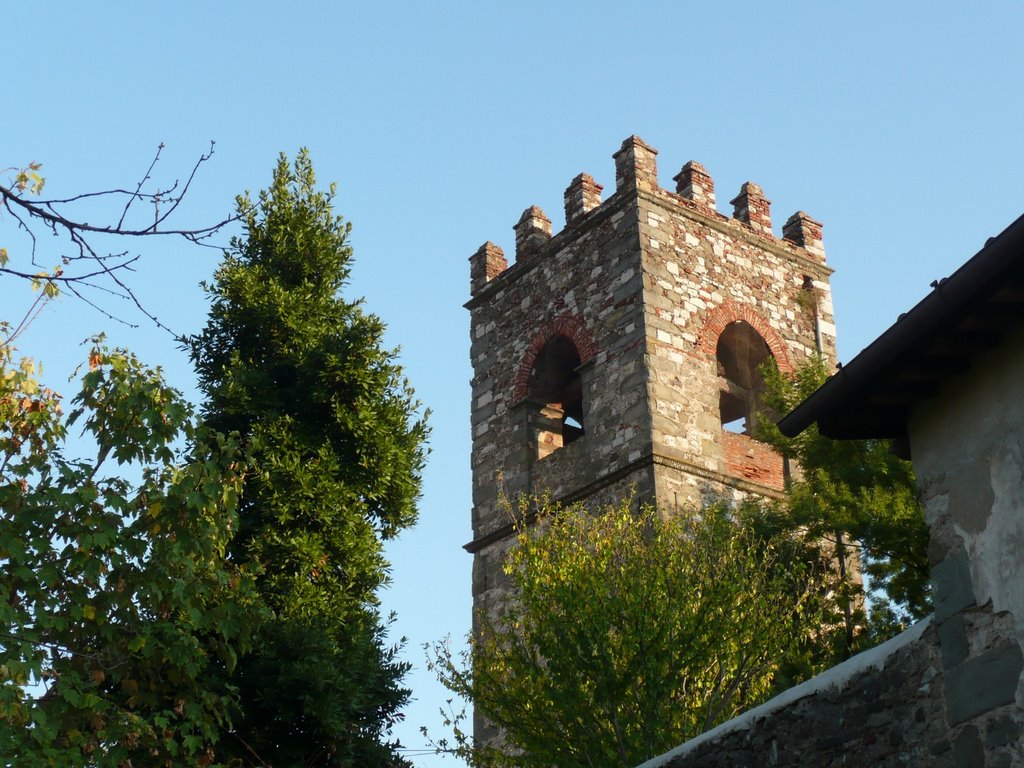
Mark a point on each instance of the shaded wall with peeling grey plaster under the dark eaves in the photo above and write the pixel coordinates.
(968, 446)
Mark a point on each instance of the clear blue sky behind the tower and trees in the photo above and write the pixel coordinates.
(899, 125)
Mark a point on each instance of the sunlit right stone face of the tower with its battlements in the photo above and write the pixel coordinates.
(704, 271)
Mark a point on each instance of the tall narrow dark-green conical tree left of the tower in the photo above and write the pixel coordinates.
(336, 453)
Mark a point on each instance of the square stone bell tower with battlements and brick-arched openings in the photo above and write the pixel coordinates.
(621, 355)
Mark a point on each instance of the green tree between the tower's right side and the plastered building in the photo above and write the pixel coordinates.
(852, 496)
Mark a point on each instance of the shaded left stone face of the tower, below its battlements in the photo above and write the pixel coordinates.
(586, 276)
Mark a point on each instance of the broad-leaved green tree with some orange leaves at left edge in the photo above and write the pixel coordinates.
(119, 616)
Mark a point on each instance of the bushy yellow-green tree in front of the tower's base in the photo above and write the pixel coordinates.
(626, 633)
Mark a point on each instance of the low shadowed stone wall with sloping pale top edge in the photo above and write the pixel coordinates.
(885, 708)
